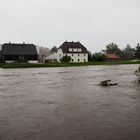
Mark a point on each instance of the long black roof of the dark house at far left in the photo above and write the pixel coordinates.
(18, 49)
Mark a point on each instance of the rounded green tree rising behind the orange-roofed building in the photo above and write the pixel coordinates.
(113, 48)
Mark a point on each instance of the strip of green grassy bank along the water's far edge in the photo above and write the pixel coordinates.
(27, 65)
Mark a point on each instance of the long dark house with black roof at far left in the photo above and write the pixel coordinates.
(12, 52)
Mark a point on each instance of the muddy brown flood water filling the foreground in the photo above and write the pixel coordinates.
(68, 104)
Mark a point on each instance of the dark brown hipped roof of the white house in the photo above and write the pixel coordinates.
(66, 45)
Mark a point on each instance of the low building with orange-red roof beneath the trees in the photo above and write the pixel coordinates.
(111, 57)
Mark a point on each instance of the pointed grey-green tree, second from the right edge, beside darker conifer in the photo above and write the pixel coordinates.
(129, 53)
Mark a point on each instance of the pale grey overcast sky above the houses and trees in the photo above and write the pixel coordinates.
(95, 23)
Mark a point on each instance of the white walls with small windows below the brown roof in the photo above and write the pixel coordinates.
(82, 57)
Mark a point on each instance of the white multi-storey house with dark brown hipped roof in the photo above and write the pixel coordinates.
(75, 50)
